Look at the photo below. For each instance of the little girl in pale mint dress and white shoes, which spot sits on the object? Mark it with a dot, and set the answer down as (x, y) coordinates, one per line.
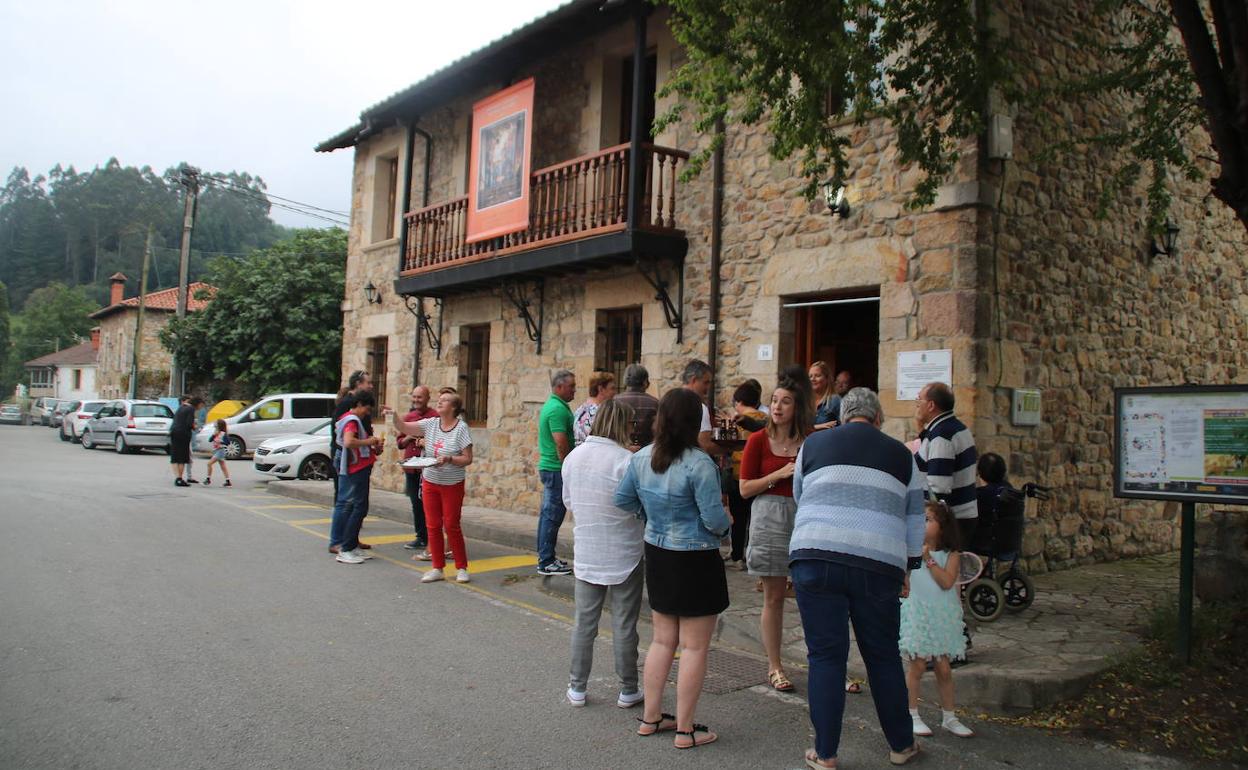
(932, 618)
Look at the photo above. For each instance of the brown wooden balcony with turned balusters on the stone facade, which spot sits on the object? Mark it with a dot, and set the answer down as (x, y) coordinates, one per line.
(572, 208)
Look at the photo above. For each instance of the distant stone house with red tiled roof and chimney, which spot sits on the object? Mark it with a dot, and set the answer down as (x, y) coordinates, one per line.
(119, 323)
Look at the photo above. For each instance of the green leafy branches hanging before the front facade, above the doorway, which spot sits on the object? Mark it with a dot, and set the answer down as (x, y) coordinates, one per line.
(808, 68)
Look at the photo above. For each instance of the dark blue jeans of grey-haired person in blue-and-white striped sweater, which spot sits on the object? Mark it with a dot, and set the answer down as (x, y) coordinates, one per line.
(831, 596)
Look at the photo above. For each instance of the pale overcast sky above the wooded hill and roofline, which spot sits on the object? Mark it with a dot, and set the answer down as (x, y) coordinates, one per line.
(227, 85)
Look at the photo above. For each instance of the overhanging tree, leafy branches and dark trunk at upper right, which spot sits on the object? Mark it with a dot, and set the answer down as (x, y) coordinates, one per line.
(930, 68)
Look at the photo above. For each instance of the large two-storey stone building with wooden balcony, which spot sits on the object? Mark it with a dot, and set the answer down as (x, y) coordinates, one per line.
(1010, 270)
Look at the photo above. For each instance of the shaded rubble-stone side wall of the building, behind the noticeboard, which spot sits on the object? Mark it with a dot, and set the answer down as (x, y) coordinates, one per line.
(1085, 309)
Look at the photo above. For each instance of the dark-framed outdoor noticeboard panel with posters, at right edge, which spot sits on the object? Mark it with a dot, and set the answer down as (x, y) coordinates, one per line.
(1186, 444)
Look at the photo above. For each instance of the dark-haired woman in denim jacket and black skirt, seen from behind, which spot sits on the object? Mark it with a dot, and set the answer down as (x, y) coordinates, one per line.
(675, 486)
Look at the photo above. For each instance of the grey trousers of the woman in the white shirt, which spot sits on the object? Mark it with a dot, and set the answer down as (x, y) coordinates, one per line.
(626, 606)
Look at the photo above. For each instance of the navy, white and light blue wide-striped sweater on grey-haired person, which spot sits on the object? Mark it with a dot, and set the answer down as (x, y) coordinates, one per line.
(860, 501)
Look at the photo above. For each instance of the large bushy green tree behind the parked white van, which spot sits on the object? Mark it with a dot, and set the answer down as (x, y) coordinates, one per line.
(275, 323)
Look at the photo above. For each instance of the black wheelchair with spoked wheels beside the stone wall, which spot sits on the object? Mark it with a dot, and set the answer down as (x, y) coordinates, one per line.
(1002, 586)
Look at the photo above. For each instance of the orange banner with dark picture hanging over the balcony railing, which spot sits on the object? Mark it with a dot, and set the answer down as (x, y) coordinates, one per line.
(502, 144)
